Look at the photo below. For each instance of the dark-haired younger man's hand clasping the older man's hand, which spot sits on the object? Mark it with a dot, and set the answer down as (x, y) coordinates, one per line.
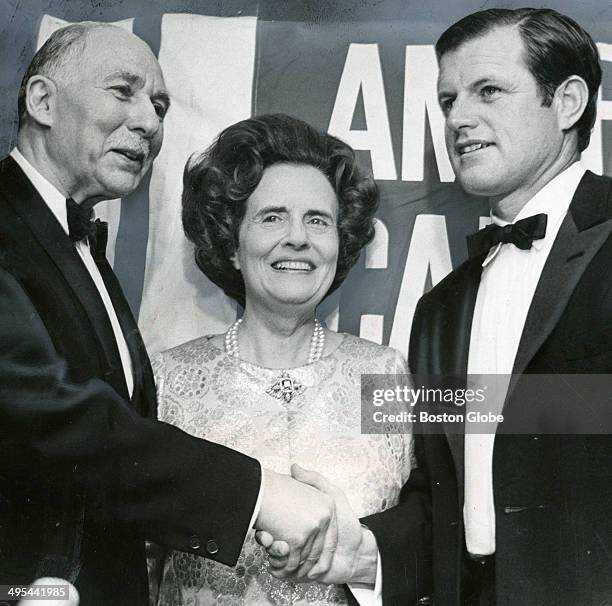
(356, 555)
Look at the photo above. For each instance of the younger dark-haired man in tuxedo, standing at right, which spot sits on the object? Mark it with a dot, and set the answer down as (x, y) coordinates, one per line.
(522, 519)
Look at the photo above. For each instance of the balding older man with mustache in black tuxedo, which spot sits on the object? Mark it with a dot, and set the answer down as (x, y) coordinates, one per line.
(86, 474)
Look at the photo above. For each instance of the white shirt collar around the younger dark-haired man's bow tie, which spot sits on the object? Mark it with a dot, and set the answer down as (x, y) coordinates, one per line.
(553, 200)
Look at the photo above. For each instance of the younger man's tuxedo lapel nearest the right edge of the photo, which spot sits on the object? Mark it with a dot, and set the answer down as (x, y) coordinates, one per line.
(583, 231)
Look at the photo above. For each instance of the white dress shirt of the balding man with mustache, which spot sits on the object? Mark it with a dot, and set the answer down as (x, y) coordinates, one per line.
(57, 204)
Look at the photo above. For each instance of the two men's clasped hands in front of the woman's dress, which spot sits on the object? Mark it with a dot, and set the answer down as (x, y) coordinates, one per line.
(311, 533)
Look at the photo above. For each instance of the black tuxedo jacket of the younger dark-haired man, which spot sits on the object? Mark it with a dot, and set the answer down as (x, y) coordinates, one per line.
(553, 493)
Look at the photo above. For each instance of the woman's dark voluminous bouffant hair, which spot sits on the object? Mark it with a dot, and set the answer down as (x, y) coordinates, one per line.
(218, 183)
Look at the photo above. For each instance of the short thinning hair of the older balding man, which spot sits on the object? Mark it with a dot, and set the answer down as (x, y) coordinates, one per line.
(61, 47)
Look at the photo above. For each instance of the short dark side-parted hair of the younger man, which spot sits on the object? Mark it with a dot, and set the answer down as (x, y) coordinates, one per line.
(556, 47)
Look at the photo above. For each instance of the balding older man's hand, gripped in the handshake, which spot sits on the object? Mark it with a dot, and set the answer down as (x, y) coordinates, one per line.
(301, 519)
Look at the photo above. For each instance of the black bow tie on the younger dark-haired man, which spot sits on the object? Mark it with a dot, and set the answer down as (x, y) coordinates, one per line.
(521, 234)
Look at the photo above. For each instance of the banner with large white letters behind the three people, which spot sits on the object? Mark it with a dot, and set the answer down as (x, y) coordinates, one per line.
(369, 78)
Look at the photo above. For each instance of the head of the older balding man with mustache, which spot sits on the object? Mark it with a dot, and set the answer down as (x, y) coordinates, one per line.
(92, 106)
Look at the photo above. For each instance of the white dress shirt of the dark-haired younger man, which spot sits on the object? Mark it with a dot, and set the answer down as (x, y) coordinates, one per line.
(509, 279)
